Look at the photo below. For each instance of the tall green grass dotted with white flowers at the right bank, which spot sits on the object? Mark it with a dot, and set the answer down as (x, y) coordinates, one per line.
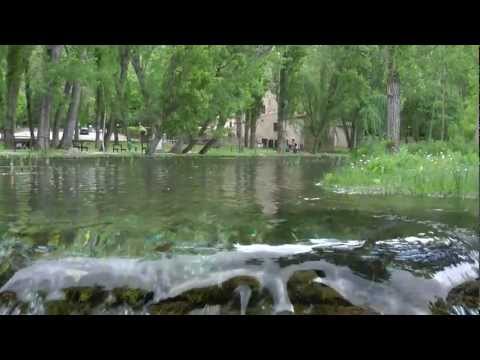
(429, 169)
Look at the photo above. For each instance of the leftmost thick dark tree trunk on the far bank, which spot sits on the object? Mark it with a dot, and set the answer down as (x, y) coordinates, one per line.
(13, 79)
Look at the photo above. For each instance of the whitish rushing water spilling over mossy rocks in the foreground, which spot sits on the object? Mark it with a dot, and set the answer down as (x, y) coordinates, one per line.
(402, 293)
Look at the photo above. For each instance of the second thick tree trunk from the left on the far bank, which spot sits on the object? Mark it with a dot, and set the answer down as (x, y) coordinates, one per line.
(43, 136)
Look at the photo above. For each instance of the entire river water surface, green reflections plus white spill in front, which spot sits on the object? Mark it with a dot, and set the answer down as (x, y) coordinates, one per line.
(174, 224)
